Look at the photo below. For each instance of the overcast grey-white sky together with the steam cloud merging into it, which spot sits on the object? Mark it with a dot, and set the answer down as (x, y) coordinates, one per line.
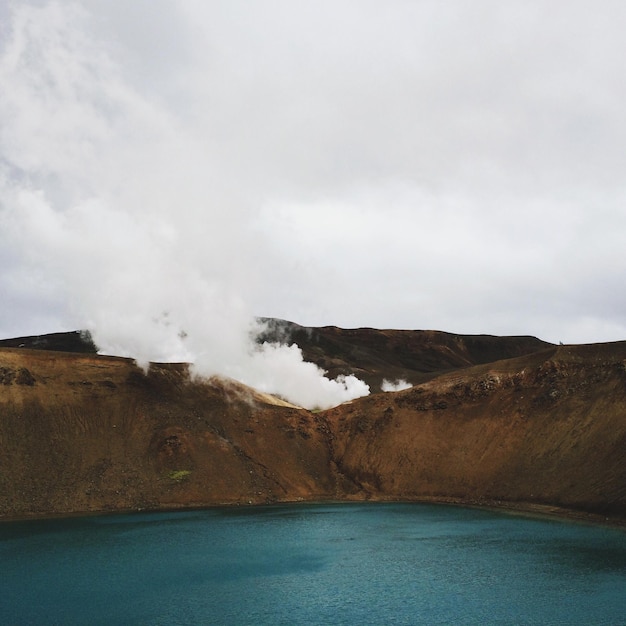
(170, 169)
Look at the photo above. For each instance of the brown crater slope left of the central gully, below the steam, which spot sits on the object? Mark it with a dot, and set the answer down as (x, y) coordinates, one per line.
(89, 433)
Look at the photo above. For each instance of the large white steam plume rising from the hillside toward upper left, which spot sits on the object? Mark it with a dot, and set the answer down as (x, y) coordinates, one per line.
(118, 216)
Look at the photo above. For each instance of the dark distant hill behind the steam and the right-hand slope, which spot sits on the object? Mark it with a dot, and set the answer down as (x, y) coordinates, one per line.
(412, 355)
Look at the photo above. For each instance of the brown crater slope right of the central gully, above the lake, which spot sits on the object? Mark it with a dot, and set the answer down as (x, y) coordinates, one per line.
(549, 428)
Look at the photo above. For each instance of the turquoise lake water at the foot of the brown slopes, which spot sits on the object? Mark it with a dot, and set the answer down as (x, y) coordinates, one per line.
(312, 564)
